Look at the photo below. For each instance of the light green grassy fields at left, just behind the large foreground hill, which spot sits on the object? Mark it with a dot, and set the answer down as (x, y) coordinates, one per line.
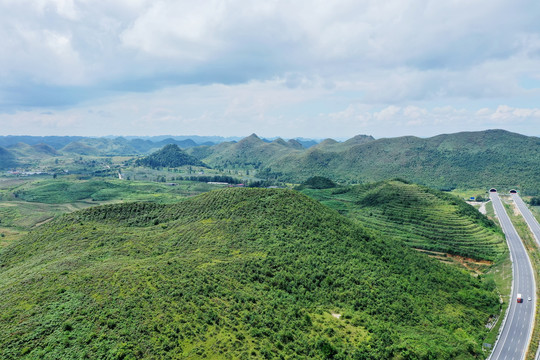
(27, 203)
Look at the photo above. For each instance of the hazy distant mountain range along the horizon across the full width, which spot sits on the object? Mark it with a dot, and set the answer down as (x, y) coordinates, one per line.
(468, 159)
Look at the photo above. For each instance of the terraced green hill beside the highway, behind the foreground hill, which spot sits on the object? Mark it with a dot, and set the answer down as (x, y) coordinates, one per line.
(420, 217)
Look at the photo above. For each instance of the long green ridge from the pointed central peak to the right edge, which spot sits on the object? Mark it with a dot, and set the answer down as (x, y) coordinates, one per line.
(463, 160)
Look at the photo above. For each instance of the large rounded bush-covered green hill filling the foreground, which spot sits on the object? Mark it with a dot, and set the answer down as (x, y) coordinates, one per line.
(234, 273)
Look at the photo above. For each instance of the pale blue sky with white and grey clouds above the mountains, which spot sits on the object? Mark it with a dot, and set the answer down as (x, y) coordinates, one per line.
(304, 68)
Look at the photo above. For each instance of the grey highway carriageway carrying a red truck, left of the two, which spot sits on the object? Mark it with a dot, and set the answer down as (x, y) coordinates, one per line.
(516, 332)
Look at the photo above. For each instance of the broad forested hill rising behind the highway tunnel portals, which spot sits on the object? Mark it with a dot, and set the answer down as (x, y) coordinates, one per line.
(469, 159)
